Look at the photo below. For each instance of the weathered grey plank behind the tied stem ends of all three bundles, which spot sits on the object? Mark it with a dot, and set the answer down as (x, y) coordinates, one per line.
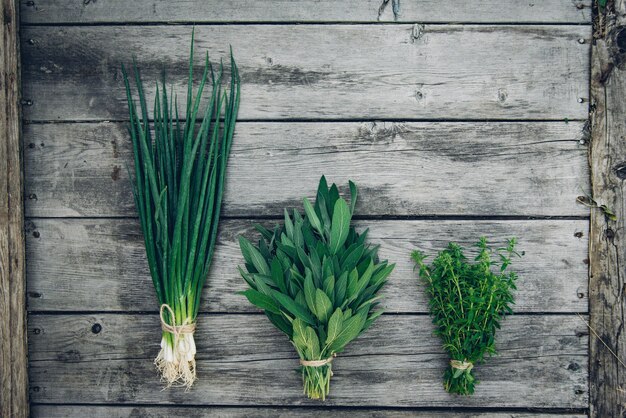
(242, 360)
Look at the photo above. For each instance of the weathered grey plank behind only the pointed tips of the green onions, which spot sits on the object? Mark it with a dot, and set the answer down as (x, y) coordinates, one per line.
(323, 71)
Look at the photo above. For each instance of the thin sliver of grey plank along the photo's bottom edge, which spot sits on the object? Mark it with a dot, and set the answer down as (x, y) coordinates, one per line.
(77, 411)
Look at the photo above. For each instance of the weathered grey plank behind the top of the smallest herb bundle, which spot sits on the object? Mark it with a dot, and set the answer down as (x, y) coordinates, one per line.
(100, 264)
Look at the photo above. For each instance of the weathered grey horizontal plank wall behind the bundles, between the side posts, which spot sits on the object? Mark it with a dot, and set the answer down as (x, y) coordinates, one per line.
(456, 121)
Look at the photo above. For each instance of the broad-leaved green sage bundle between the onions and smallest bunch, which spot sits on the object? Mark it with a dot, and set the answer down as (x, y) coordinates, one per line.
(317, 280)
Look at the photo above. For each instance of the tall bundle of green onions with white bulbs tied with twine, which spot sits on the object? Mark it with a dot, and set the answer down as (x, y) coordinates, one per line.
(179, 181)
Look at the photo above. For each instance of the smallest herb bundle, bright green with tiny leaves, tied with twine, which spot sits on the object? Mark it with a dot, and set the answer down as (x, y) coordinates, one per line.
(467, 302)
